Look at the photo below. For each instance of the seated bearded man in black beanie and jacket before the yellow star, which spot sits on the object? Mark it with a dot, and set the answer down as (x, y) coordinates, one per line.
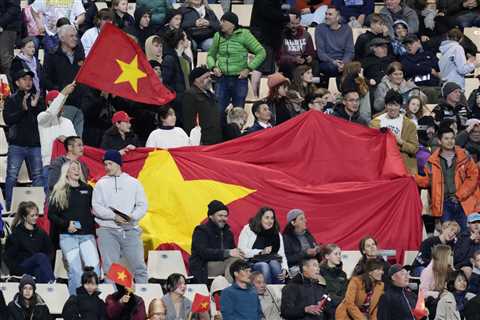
(213, 245)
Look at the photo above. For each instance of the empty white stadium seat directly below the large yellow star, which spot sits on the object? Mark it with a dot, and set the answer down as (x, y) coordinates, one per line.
(163, 263)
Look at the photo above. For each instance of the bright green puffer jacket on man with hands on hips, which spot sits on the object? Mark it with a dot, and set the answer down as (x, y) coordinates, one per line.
(230, 54)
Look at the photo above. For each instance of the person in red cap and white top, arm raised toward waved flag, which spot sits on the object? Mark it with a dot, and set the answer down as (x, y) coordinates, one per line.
(52, 126)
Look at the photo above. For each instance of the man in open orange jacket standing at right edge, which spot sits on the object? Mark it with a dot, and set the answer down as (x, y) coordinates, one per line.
(452, 176)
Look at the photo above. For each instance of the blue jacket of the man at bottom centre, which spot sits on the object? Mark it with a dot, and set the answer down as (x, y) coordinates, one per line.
(240, 304)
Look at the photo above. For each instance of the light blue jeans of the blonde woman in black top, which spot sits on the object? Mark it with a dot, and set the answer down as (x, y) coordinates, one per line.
(78, 248)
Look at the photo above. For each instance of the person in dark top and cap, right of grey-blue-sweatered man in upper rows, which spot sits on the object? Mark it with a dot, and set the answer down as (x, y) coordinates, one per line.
(378, 29)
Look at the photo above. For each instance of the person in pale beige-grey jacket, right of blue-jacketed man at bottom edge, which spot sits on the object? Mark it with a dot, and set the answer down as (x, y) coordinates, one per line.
(268, 300)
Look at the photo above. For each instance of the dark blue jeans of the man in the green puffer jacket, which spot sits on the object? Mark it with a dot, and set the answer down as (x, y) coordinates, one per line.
(230, 89)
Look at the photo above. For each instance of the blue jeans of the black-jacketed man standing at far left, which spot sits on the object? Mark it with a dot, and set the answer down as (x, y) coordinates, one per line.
(16, 155)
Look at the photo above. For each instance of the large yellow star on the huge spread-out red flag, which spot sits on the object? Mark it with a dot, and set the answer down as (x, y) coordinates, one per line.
(176, 206)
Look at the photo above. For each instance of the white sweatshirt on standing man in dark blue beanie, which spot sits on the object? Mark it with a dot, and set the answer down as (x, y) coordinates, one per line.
(123, 193)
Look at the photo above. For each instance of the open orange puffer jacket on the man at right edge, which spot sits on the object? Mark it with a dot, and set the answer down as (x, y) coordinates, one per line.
(466, 175)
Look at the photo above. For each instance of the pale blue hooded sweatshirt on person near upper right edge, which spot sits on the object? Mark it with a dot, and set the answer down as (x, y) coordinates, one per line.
(453, 63)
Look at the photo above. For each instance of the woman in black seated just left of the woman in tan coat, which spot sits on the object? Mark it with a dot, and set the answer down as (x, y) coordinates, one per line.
(331, 271)
